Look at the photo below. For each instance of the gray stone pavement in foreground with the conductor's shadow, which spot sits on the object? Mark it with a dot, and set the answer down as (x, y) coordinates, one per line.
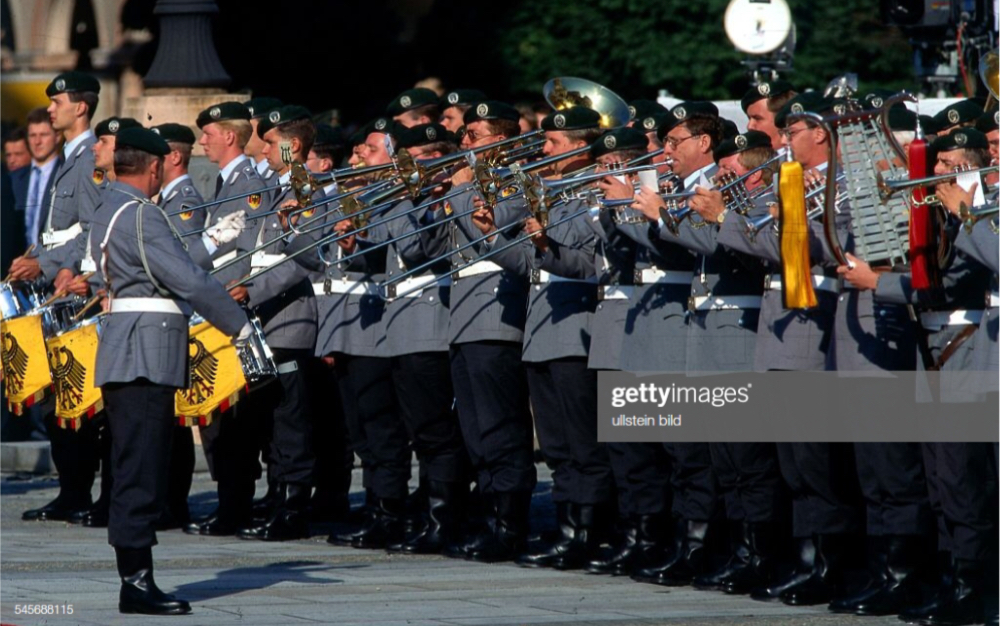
(229, 581)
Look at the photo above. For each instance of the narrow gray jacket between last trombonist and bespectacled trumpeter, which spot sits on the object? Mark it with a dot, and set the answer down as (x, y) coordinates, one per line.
(615, 268)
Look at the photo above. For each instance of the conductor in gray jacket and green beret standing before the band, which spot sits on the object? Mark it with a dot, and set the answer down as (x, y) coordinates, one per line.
(142, 355)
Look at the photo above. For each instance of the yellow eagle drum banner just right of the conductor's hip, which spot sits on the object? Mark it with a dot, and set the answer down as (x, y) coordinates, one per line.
(216, 379)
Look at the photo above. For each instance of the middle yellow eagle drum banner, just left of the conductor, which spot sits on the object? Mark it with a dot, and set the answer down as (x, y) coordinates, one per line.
(73, 361)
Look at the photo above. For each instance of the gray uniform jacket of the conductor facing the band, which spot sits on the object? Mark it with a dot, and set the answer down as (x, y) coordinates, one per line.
(154, 346)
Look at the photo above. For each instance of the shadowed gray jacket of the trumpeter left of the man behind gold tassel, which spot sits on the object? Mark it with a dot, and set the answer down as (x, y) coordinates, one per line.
(722, 339)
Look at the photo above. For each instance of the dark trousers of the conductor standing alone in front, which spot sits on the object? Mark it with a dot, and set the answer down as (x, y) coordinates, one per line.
(141, 418)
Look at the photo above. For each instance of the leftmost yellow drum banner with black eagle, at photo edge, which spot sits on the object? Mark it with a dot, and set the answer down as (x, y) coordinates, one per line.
(26, 374)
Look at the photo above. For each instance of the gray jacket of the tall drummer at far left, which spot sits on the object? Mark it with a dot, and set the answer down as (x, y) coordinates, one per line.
(75, 194)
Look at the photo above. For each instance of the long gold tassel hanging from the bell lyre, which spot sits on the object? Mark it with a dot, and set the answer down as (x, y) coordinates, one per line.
(796, 278)
